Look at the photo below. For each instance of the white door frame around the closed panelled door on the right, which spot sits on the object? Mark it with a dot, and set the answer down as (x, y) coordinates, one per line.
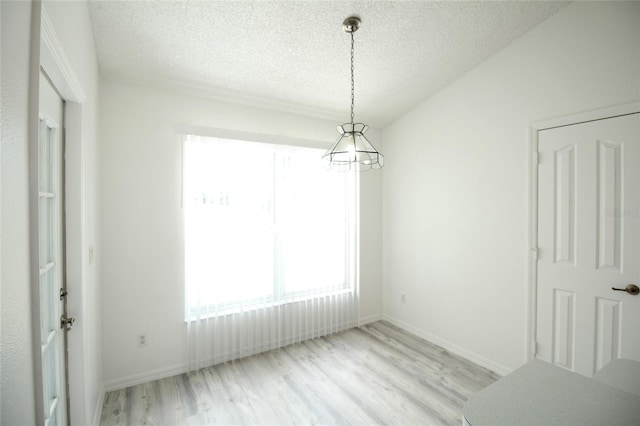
(532, 246)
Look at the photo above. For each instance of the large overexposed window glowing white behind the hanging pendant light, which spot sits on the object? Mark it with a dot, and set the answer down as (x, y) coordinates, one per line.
(264, 224)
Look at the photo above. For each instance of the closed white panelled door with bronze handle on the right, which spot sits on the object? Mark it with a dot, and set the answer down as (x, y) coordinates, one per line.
(589, 242)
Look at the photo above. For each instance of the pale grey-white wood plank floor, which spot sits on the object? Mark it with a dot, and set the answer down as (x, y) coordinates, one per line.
(375, 374)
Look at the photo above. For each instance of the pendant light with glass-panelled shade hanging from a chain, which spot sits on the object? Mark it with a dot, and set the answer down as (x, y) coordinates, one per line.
(352, 150)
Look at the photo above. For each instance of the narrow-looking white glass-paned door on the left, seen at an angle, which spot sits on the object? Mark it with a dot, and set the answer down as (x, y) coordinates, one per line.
(51, 253)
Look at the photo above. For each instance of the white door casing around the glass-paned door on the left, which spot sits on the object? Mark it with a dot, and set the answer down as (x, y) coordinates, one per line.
(49, 55)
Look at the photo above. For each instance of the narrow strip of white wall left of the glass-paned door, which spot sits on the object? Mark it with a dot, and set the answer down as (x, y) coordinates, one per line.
(17, 379)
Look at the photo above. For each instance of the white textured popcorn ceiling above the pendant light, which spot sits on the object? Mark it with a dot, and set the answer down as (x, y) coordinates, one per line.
(294, 56)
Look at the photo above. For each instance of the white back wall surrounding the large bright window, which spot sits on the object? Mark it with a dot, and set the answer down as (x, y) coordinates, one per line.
(142, 256)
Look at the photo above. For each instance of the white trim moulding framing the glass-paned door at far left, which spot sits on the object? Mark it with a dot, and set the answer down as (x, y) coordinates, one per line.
(49, 55)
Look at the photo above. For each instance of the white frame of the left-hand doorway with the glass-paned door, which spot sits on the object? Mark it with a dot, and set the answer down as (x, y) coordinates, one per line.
(48, 54)
